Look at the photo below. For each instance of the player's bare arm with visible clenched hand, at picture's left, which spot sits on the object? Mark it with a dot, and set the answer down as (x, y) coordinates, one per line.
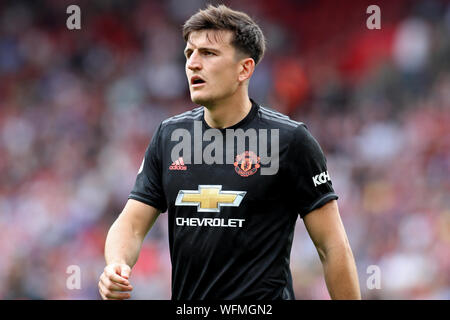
(122, 247)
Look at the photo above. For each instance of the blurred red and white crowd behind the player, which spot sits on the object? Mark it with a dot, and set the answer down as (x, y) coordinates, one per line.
(78, 108)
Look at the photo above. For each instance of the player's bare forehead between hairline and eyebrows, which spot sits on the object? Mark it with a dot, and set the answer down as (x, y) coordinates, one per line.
(220, 39)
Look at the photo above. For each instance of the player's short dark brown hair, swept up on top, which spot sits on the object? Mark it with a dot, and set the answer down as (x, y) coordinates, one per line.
(247, 35)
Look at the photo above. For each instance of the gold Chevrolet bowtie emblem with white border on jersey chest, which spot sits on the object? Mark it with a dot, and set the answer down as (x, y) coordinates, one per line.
(209, 198)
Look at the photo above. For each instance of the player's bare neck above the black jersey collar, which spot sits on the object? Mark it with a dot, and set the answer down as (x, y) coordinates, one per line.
(227, 112)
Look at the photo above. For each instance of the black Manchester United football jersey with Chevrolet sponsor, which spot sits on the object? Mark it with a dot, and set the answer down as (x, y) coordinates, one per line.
(233, 196)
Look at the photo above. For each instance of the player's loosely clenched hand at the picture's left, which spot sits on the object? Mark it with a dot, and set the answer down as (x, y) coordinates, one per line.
(114, 284)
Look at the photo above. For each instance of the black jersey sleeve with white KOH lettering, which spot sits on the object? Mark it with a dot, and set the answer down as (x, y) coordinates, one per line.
(310, 180)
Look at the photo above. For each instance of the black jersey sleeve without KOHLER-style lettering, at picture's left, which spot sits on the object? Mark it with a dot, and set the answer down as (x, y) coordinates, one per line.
(148, 186)
